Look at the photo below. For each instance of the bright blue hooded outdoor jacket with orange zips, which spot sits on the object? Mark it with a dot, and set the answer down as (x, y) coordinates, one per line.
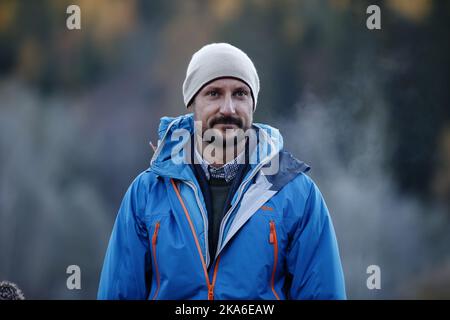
(276, 241)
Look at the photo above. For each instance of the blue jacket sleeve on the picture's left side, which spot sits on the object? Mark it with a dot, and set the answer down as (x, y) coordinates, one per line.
(127, 266)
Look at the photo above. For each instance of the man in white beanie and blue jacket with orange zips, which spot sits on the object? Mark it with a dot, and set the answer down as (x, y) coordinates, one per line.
(223, 212)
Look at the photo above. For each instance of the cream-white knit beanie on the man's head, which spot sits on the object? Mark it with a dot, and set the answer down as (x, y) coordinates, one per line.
(218, 60)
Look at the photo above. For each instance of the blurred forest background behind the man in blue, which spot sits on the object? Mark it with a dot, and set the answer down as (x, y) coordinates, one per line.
(368, 110)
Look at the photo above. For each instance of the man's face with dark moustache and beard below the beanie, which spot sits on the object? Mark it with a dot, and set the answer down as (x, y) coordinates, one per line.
(224, 105)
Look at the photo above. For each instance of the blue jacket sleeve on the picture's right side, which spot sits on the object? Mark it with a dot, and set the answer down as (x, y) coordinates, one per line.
(313, 257)
